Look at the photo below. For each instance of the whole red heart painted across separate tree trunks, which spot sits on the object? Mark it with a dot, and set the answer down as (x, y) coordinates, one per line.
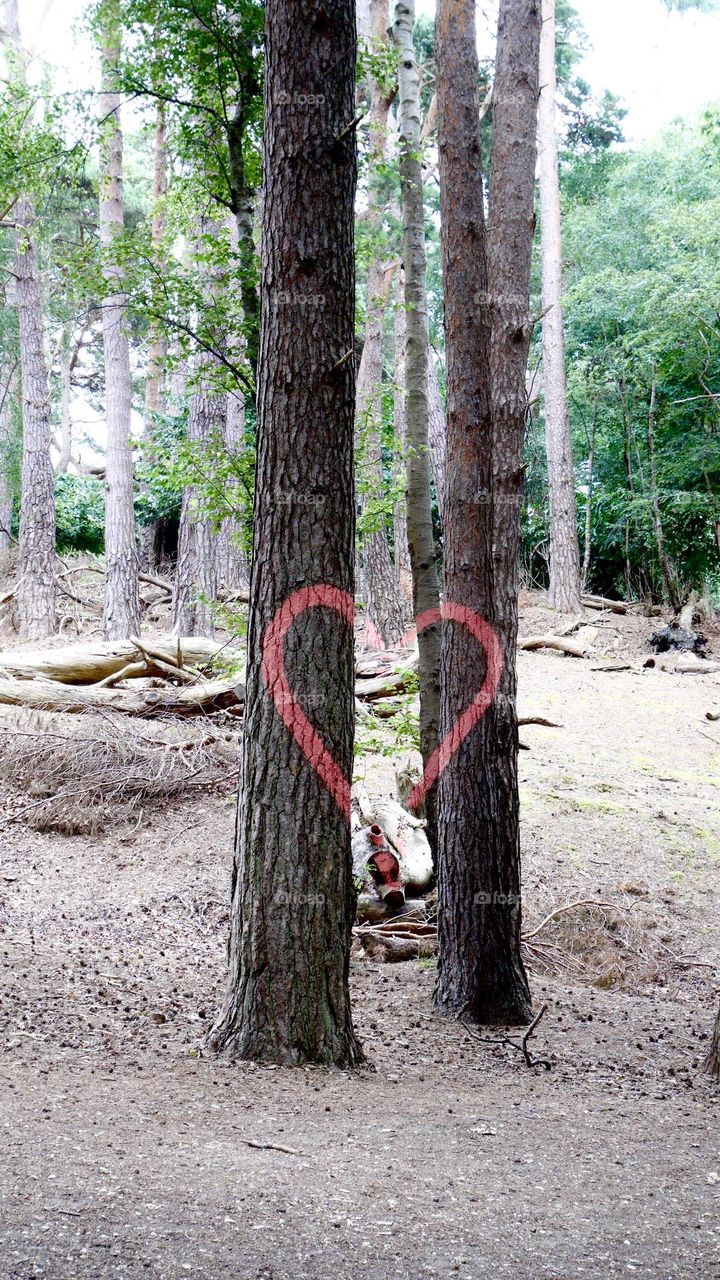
(308, 738)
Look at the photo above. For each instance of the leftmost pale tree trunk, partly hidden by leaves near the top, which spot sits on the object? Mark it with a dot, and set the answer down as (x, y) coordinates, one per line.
(37, 588)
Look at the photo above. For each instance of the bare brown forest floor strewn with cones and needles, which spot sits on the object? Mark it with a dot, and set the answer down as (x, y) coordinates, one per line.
(126, 1153)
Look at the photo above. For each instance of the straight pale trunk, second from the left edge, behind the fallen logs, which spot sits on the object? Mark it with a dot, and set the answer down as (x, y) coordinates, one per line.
(121, 616)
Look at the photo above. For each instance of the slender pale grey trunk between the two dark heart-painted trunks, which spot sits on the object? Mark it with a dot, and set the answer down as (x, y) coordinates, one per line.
(426, 592)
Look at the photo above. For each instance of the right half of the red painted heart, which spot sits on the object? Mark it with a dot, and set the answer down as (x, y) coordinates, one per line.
(453, 742)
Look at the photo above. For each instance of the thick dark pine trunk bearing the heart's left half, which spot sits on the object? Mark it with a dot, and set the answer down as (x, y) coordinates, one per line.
(294, 898)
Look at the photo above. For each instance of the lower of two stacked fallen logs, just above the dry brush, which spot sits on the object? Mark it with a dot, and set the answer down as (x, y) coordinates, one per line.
(51, 696)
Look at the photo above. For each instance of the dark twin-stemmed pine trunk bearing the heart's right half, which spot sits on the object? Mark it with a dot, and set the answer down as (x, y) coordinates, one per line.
(487, 333)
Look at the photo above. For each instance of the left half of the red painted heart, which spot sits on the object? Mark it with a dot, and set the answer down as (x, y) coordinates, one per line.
(279, 685)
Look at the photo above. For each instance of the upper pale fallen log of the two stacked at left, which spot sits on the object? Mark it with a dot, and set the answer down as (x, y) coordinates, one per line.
(90, 664)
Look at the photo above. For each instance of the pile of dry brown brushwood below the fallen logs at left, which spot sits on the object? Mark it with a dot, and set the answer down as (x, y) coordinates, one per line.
(78, 775)
